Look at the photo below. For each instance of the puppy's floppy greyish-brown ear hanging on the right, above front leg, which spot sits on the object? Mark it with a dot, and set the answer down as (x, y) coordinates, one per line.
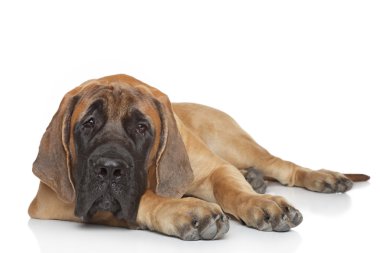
(173, 170)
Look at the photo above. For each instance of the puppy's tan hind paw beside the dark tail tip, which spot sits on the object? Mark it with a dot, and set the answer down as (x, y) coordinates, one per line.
(326, 181)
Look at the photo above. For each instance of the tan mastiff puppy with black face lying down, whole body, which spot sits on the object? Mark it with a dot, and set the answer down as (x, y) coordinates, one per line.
(118, 153)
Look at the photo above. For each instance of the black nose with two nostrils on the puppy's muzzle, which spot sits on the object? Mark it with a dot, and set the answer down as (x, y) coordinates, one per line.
(110, 168)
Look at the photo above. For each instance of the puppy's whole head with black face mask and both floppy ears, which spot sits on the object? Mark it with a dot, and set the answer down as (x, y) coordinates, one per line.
(111, 140)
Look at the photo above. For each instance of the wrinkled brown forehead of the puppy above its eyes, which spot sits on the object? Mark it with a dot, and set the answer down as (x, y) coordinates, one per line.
(116, 99)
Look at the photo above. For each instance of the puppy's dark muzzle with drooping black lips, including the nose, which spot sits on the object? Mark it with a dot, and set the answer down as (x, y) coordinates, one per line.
(109, 182)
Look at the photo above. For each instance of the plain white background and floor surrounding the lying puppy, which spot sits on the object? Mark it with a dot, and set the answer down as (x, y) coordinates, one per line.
(302, 77)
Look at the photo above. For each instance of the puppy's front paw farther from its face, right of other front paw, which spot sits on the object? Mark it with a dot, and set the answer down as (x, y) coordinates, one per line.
(268, 213)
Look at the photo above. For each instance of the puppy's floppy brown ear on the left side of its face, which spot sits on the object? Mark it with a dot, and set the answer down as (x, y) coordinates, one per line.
(52, 164)
